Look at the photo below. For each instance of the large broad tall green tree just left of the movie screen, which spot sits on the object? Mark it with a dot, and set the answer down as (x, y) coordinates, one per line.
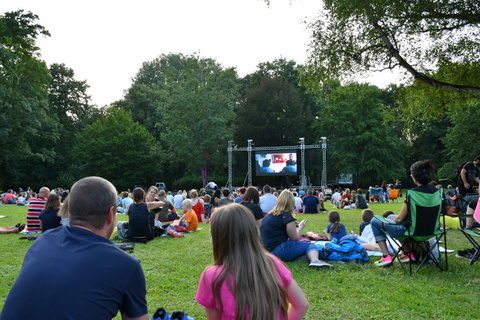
(187, 103)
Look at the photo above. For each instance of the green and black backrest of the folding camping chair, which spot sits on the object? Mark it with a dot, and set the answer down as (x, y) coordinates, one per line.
(425, 210)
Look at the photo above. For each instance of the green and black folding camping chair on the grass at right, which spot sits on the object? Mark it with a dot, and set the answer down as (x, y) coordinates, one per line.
(423, 230)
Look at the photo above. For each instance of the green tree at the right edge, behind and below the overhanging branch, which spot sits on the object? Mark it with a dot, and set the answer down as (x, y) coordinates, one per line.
(435, 119)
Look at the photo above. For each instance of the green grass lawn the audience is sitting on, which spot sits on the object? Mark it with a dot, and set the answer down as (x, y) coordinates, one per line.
(173, 266)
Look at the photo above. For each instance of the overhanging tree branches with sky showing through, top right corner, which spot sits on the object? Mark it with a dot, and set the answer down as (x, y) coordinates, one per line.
(419, 36)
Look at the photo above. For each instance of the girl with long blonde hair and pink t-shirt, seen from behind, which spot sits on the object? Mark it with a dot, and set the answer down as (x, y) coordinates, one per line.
(246, 282)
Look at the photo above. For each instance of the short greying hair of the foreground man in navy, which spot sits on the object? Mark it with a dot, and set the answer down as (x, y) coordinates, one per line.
(89, 202)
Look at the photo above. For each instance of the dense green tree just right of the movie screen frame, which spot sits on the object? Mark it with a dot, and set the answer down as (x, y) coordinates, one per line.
(359, 143)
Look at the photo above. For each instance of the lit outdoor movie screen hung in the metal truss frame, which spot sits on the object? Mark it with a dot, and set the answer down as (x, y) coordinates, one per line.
(280, 162)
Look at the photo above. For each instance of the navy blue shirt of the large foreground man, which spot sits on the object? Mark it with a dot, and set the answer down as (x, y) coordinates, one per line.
(73, 273)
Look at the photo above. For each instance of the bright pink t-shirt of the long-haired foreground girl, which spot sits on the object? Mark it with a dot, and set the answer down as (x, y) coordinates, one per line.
(206, 297)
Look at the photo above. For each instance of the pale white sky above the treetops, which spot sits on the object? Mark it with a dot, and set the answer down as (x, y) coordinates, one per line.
(105, 42)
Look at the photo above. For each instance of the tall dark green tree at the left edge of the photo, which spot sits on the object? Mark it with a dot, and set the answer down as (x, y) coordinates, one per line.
(27, 130)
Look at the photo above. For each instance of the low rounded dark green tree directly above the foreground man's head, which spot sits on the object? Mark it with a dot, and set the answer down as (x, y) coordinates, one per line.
(116, 148)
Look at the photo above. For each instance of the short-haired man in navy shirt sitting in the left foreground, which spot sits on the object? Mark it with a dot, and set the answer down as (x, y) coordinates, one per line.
(76, 272)
